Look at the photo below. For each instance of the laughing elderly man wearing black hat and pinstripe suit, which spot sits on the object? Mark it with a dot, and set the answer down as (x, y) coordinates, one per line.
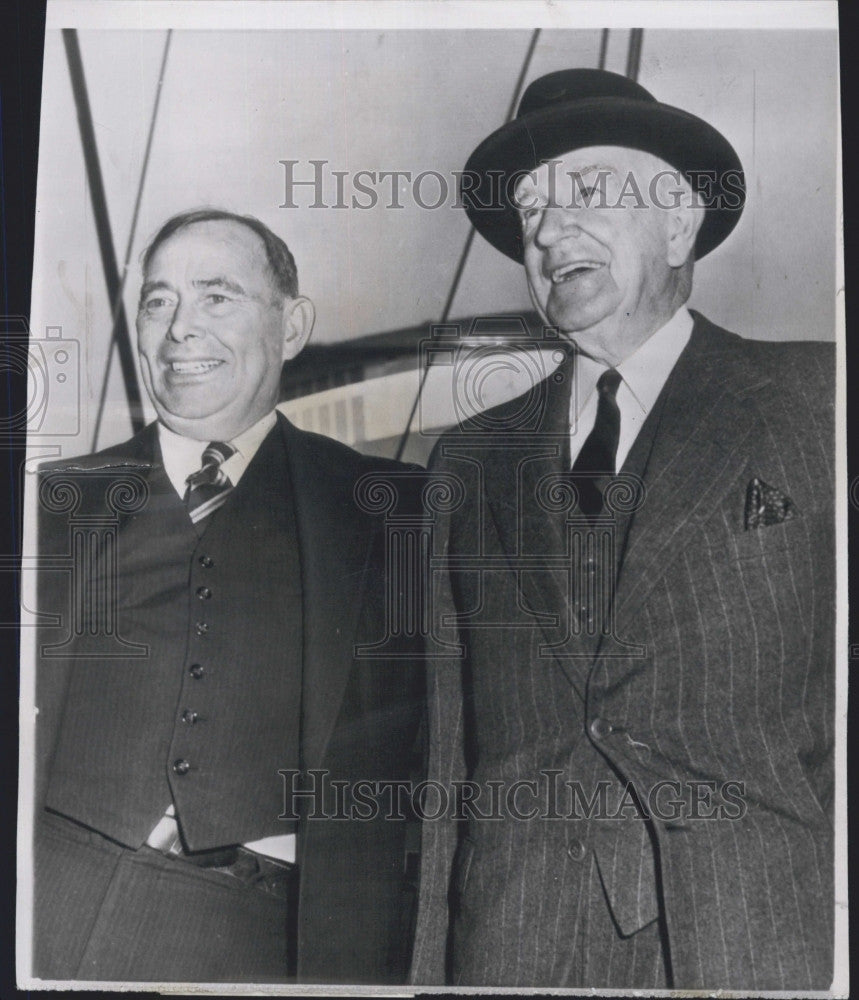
(636, 721)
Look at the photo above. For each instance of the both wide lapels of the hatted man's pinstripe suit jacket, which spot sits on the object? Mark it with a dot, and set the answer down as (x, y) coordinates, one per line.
(696, 453)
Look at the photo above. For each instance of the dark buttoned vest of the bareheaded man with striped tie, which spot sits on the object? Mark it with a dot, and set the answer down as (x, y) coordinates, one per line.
(210, 712)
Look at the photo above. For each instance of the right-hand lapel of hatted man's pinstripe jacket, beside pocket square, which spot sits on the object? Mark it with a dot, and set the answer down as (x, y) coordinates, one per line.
(699, 450)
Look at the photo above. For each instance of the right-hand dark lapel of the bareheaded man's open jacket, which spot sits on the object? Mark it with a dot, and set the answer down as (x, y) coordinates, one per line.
(334, 541)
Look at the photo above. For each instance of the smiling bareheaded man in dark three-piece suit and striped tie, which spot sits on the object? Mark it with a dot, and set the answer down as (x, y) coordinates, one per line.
(168, 846)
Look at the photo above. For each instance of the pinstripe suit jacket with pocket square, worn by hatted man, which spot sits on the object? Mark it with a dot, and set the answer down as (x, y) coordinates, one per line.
(735, 684)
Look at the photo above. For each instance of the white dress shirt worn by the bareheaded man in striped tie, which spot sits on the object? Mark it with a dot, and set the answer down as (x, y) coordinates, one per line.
(183, 456)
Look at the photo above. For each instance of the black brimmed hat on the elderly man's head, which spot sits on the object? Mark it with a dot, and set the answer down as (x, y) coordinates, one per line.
(574, 108)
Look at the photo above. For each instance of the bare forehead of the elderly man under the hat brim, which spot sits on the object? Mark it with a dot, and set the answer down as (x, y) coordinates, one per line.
(570, 171)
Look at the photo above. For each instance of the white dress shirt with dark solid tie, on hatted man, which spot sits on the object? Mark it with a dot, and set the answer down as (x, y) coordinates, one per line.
(643, 375)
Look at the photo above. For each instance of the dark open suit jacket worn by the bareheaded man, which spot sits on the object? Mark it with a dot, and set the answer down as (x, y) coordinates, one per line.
(359, 718)
